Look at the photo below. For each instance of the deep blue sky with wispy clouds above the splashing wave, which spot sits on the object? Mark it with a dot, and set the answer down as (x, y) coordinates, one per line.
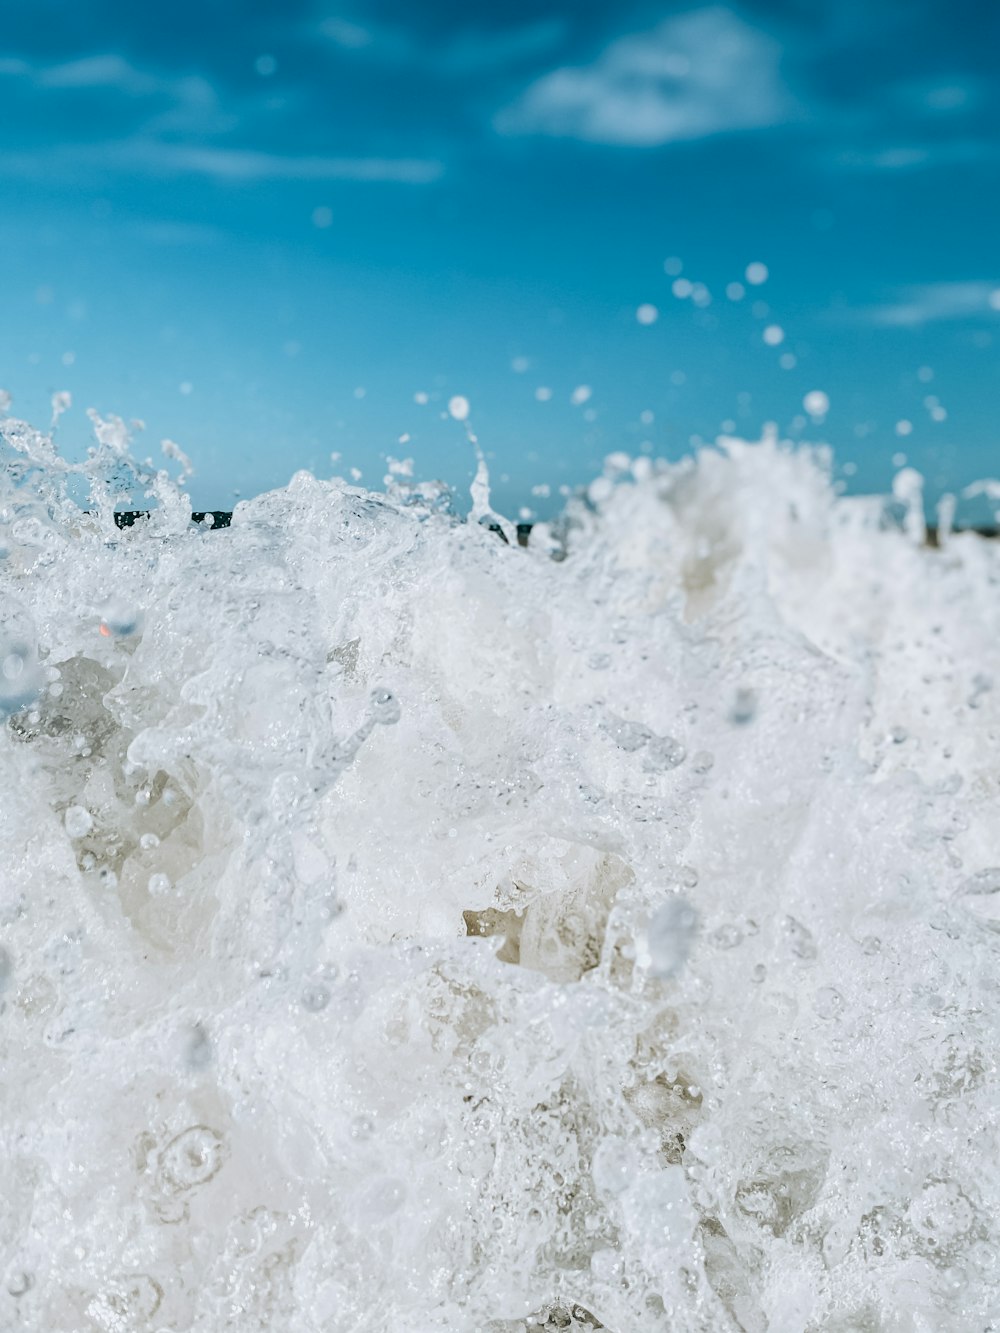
(286, 230)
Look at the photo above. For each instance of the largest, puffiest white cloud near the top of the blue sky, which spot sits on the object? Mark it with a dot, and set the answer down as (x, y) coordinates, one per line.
(695, 75)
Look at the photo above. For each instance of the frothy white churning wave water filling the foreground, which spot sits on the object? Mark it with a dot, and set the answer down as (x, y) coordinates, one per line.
(403, 931)
